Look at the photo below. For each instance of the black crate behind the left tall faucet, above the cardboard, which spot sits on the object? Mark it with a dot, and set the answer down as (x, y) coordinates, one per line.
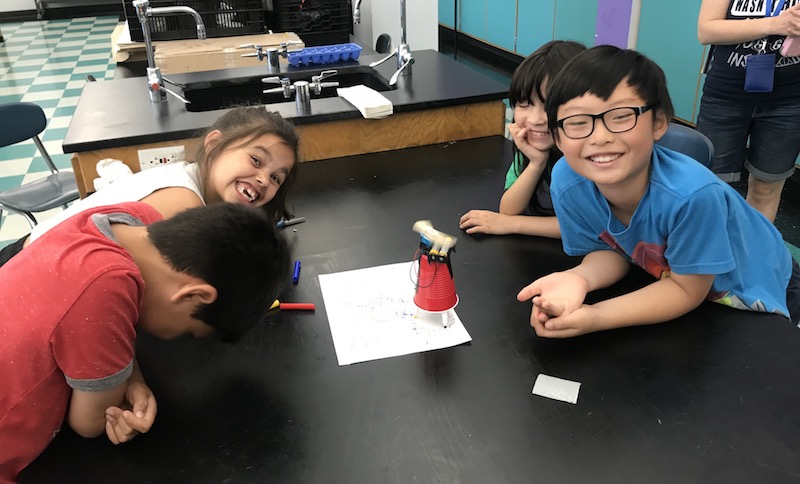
(222, 18)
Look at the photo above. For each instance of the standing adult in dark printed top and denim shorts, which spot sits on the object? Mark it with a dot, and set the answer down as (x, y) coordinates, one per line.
(751, 91)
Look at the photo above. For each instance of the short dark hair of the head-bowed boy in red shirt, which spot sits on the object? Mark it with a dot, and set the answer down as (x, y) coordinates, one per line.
(234, 248)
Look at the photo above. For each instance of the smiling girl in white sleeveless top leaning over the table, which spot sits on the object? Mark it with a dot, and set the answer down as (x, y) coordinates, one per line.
(247, 157)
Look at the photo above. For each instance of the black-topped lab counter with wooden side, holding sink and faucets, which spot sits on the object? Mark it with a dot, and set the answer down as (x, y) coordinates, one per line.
(442, 100)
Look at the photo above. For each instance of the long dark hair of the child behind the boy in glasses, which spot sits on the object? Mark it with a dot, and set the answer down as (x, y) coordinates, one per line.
(529, 77)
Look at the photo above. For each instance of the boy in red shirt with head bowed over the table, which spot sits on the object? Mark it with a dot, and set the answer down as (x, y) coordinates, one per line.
(73, 300)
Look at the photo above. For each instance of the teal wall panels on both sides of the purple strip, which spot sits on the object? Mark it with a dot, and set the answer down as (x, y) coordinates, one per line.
(667, 33)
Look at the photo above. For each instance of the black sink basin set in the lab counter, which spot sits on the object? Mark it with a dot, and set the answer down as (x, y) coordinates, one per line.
(208, 95)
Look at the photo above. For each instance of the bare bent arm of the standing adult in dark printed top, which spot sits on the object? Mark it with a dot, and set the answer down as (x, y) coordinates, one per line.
(714, 28)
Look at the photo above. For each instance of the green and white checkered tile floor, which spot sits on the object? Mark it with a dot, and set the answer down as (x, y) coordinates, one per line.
(46, 62)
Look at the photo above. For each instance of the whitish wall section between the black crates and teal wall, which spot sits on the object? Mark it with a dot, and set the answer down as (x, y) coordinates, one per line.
(383, 16)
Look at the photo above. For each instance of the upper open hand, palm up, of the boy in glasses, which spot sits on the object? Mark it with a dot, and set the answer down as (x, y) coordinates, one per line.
(554, 296)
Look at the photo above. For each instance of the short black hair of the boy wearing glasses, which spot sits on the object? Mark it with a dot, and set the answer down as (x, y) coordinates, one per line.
(599, 71)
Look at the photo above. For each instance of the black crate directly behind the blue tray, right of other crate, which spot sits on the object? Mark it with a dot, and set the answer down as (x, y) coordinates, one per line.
(316, 21)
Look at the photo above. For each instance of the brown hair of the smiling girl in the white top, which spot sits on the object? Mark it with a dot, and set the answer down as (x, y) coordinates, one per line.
(242, 124)
